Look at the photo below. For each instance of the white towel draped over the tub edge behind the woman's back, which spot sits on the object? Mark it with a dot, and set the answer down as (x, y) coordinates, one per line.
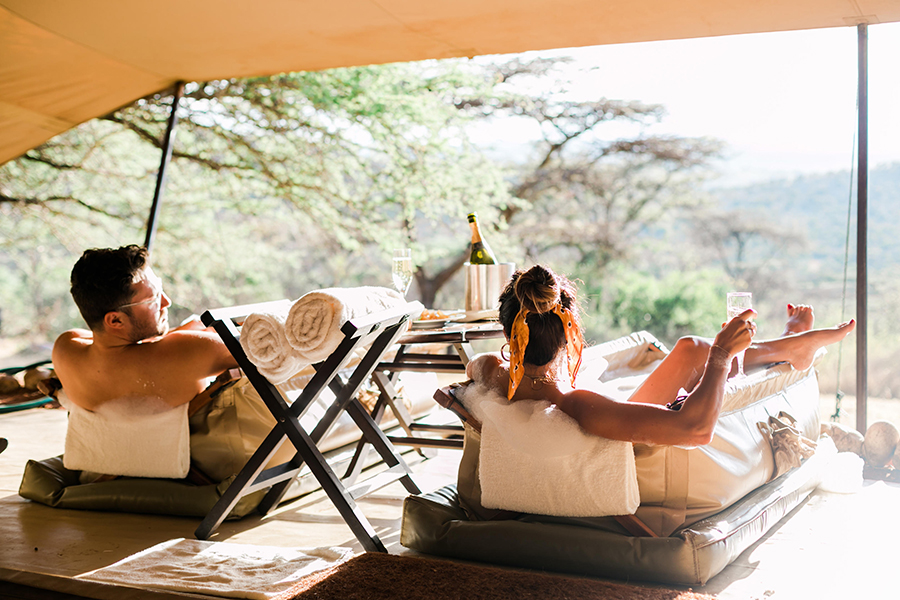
(536, 459)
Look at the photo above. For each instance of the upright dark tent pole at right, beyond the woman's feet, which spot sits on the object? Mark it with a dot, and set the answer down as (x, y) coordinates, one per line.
(861, 232)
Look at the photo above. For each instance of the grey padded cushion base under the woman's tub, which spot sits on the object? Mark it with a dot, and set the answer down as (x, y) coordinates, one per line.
(435, 523)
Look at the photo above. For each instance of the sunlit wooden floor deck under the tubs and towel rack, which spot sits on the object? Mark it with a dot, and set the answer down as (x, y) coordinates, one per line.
(832, 546)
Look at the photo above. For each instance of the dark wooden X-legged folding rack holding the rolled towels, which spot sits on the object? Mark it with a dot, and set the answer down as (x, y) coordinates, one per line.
(381, 329)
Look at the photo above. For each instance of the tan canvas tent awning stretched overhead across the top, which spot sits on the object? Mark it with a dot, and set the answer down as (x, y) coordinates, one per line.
(63, 63)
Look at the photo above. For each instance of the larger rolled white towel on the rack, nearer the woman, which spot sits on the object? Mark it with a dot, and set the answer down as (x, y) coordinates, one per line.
(313, 325)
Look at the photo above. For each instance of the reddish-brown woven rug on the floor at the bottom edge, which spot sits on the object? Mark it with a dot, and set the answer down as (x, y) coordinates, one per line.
(377, 576)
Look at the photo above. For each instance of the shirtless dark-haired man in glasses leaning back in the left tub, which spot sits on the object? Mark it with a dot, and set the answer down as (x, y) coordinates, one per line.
(129, 352)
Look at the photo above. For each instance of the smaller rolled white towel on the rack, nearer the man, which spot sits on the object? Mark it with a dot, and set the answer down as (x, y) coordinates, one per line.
(263, 339)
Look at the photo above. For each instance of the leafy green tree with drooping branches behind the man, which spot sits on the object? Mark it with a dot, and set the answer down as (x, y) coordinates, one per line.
(331, 167)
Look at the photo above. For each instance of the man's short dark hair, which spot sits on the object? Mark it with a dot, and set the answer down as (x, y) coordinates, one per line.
(102, 278)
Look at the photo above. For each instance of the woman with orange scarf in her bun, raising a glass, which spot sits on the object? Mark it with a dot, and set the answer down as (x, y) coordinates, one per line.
(539, 314)
